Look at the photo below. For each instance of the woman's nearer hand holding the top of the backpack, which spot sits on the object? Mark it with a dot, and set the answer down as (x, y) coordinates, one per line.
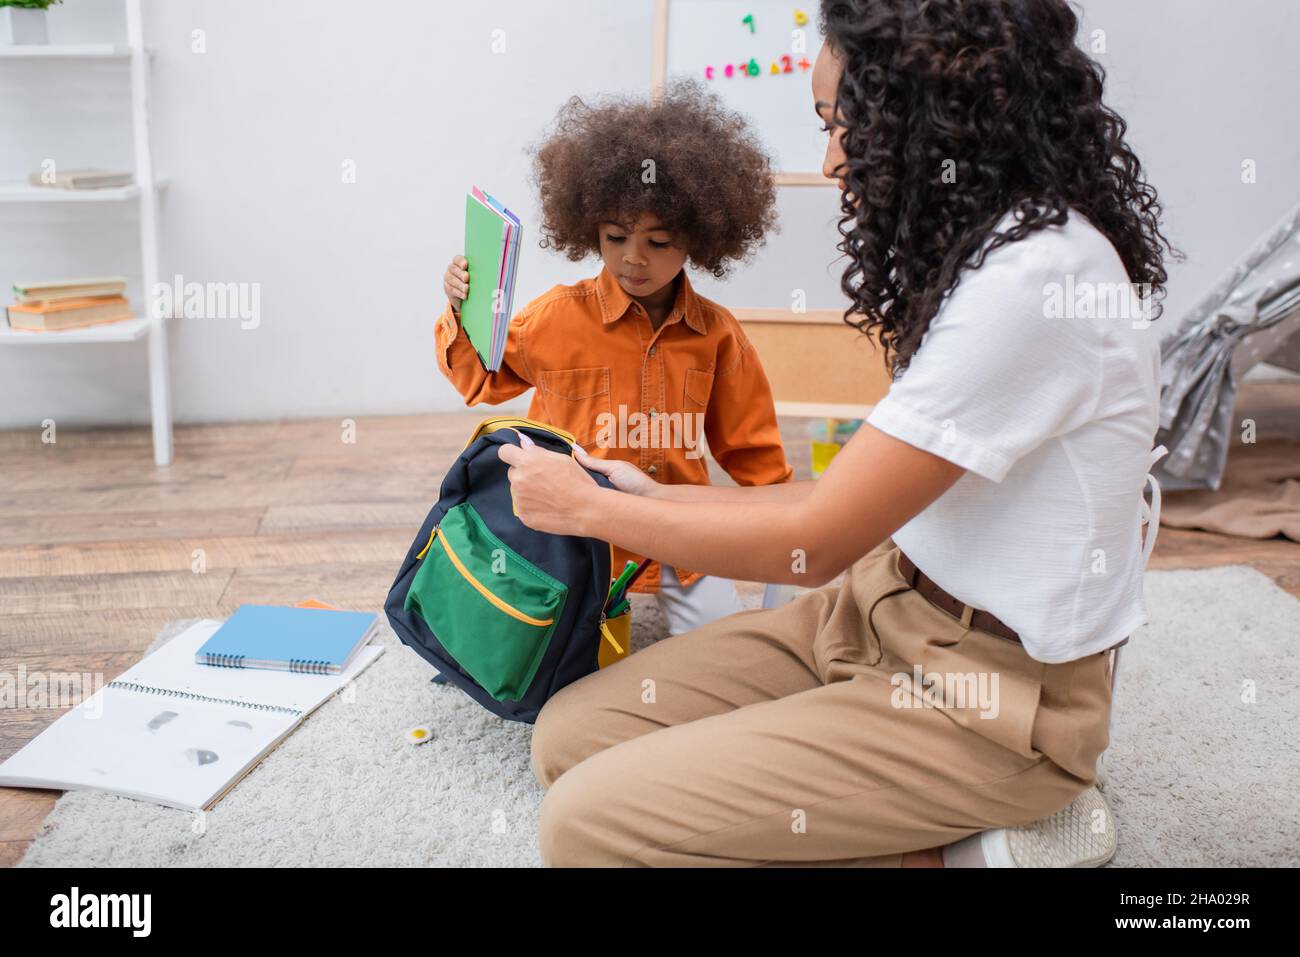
(552, 492)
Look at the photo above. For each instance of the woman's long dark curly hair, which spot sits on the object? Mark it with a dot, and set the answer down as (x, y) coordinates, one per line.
(999, 88)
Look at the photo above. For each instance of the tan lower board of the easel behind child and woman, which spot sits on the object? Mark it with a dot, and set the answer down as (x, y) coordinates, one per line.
(817, 365)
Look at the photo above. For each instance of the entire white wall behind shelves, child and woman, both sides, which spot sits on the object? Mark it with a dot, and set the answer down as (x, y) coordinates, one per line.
(252, 137)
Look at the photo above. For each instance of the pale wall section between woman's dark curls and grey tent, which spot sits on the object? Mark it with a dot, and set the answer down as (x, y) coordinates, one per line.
(1204, 86)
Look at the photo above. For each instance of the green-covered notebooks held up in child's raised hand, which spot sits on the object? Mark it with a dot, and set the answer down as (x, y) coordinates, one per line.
(492, 248)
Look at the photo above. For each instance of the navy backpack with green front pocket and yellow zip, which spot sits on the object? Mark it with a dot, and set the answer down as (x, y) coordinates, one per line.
(509, 614)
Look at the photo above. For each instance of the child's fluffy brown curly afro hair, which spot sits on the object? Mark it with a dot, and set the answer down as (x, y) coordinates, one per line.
(713, 183)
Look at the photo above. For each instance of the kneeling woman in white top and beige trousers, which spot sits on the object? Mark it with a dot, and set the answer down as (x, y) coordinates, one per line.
(948, 703)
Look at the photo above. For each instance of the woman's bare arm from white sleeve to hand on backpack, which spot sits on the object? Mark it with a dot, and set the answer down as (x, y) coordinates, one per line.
(873, 488)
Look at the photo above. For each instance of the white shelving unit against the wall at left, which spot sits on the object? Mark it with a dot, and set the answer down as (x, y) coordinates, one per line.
(145, 192)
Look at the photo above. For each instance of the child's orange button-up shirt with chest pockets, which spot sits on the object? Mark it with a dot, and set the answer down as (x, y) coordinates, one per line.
(629, 392)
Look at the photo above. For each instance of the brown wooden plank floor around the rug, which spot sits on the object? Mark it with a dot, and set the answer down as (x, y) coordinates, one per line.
(99, 549)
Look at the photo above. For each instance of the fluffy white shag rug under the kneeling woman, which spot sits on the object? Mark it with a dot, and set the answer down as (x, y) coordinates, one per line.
(1203, 768)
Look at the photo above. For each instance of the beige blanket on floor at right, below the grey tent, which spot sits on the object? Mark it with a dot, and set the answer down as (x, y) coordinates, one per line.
(1260, 496)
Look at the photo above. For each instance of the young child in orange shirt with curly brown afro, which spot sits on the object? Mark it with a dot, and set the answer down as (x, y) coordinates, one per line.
(635, 363)
